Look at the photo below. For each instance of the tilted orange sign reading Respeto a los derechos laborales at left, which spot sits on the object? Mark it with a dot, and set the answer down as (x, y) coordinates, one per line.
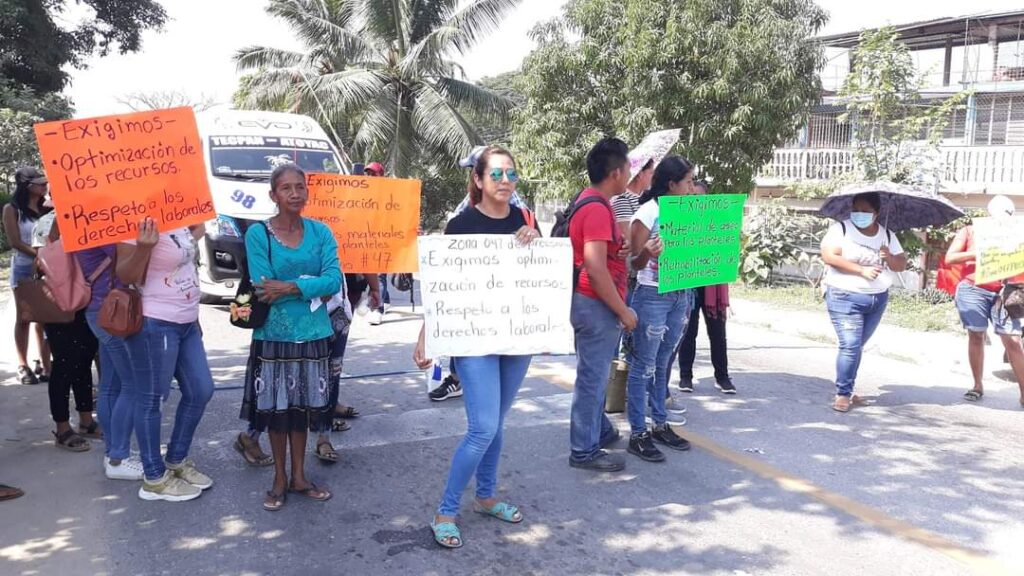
(109, 174)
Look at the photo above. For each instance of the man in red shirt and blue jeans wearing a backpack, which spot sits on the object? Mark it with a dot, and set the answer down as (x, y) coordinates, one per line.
(600, 312)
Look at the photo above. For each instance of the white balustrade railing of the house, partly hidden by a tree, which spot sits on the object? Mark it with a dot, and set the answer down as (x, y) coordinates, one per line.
(994, 170)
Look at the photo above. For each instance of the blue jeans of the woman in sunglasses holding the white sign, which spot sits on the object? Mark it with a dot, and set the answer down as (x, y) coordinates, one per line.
(490, 386)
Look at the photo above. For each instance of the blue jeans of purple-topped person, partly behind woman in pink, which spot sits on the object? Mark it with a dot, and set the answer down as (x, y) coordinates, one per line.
(116, 405)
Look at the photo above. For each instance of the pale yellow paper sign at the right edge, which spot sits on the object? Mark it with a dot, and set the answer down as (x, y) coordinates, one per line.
(1000, 243)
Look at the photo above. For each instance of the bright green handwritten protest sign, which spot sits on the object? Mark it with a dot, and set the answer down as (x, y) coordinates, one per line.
(702, 240)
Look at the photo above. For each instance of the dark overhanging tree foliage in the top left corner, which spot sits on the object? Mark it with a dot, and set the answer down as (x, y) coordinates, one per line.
(35, 50)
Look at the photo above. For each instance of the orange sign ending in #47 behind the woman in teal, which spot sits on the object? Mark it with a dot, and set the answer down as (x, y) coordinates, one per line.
(374, 220)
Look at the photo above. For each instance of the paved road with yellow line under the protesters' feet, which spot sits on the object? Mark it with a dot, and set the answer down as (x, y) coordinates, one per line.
(919, 483)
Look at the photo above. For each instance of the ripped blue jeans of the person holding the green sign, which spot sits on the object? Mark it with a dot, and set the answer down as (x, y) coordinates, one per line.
(662, 323)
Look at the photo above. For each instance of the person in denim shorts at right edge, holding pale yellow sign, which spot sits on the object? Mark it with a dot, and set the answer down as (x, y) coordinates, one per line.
(979, 305)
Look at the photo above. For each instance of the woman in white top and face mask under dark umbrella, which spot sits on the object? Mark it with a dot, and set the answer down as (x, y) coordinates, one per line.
(858, 254)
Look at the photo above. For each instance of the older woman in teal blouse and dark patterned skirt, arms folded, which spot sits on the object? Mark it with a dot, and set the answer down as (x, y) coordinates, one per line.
(294, 264)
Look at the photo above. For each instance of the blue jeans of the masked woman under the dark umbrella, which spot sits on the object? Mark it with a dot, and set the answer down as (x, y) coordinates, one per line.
(856, 318)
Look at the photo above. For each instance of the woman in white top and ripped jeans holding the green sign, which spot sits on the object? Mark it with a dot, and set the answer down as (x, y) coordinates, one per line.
(662, 319)
